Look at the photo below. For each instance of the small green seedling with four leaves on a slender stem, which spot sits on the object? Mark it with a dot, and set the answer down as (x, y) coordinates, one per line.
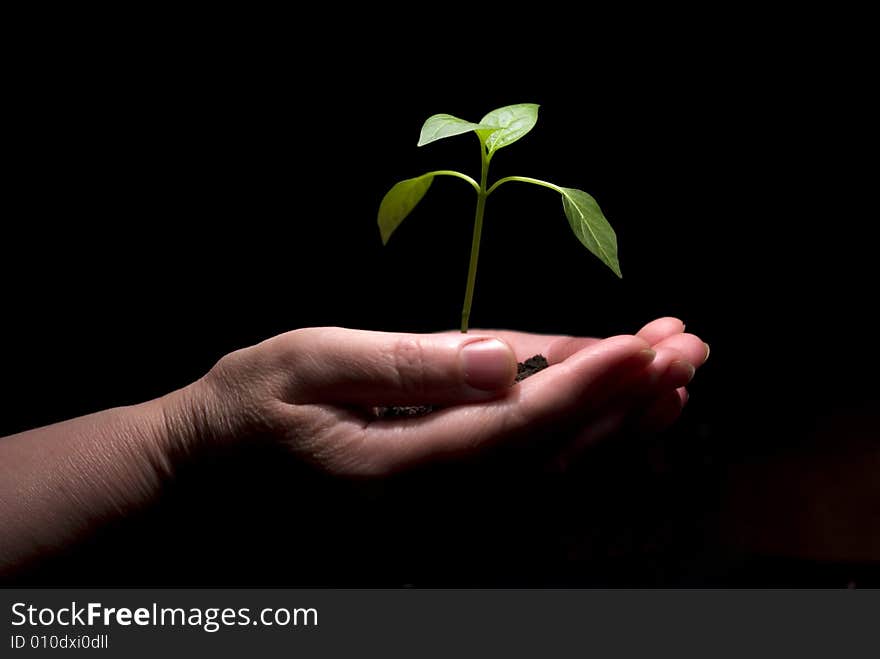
(499, 128)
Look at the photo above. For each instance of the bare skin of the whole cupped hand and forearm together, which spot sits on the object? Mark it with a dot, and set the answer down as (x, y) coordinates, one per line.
(312, 390)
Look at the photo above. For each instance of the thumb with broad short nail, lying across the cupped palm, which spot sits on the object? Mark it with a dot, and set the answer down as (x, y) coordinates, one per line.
(336, 365)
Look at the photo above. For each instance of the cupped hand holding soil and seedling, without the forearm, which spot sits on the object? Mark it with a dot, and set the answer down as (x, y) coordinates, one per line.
(313, 389)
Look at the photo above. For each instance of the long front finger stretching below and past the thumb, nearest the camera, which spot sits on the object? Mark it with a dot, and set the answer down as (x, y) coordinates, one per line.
(556, 396)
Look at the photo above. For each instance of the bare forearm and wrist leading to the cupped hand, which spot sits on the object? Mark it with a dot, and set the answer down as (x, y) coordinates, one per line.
(60, 482)
